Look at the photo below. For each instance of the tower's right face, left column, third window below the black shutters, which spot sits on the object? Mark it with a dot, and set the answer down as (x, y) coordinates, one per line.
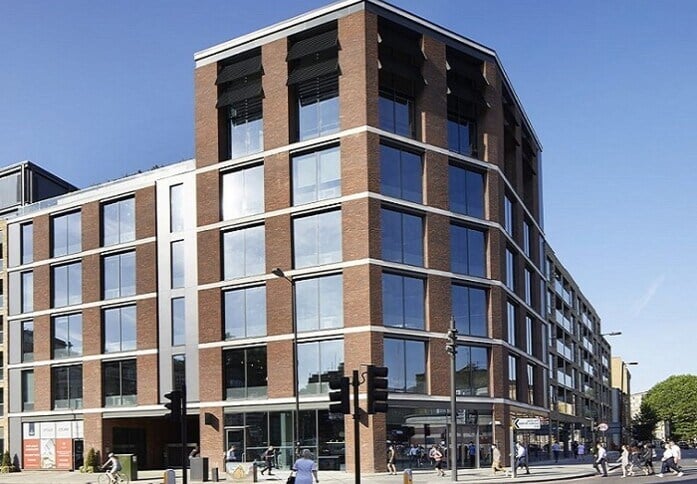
(403, 301)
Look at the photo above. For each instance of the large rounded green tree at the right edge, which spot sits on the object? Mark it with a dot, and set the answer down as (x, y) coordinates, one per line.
(675, 400)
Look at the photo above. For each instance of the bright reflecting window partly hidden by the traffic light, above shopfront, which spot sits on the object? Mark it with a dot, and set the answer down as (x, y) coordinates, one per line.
(319, 362)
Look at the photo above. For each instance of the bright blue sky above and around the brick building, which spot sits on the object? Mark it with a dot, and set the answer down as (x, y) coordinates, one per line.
(93, 90)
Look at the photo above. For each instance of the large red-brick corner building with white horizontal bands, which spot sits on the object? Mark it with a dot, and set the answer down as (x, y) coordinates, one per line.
(382, 165)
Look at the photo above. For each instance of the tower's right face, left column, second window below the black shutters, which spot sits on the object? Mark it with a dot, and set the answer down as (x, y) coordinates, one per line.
(402, 237)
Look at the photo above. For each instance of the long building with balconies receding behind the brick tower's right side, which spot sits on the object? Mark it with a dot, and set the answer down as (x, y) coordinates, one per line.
(579, 360)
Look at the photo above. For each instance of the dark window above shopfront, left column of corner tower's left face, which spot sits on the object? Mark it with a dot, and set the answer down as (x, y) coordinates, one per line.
(245, 373)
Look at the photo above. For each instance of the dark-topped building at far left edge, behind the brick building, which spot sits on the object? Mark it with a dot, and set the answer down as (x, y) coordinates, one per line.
(20, 184)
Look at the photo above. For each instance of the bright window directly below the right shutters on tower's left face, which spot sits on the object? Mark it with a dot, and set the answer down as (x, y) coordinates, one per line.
(316, 176)
